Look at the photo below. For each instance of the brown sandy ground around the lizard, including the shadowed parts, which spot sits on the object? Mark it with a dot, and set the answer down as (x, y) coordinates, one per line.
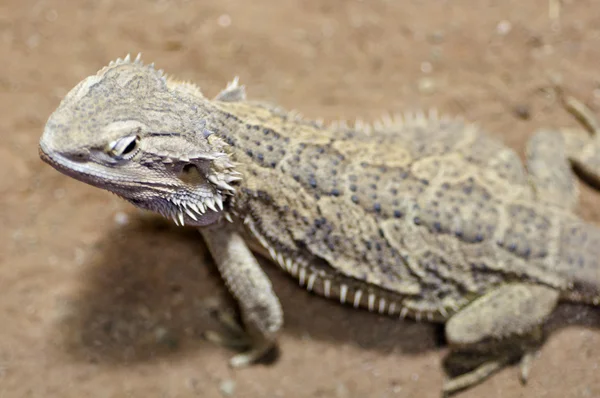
(97, 301)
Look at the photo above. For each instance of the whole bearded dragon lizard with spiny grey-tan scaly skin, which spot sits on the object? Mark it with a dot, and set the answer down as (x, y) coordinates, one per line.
(419, 216)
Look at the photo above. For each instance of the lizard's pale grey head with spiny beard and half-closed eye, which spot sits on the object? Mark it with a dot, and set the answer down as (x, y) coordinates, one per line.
(132, 131)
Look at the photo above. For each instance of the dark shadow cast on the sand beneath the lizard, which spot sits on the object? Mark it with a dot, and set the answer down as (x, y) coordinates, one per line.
(150, 289)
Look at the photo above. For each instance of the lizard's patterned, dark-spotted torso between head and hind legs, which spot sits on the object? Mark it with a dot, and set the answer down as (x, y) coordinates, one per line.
(421, 212)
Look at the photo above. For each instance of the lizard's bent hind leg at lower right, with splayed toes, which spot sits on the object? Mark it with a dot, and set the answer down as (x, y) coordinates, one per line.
(507, 318)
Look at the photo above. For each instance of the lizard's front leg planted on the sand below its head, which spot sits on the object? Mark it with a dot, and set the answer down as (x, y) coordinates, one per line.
(260, 309)
